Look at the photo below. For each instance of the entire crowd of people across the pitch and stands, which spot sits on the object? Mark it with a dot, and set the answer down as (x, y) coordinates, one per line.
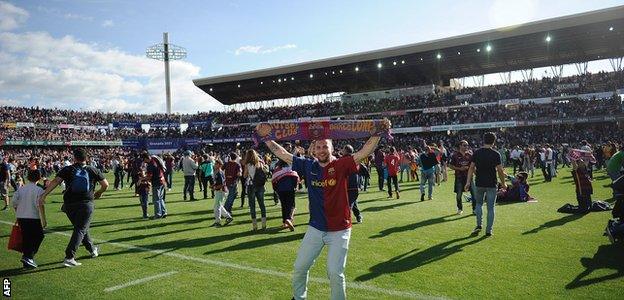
(323, 169)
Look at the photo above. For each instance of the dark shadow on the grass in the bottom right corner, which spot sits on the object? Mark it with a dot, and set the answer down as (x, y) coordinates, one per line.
(607, 257)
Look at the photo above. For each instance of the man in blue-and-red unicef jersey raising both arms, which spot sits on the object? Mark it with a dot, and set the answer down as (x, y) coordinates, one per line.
(330, 213)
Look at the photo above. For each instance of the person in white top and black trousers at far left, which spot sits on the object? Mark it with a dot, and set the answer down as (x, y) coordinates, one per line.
(30, 215)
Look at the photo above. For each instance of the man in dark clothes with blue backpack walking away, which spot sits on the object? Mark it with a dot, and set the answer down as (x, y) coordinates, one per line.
(80, 180)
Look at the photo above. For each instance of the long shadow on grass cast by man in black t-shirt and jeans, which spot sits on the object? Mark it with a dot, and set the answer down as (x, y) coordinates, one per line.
(414, 259)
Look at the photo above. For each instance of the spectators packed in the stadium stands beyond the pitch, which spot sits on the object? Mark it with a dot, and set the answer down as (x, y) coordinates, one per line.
(239, 123)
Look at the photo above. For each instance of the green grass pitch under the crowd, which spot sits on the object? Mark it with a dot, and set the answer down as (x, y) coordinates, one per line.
(405, 246)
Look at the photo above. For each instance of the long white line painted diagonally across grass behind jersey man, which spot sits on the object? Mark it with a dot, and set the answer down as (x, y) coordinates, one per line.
(354, 285)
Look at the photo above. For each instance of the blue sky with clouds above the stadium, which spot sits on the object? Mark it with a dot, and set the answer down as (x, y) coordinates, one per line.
(90, 54)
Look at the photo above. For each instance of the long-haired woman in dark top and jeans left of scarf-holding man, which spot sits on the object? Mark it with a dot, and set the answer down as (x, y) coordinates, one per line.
(255, 178)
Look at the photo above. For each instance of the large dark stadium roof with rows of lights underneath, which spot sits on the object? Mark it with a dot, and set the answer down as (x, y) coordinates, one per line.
(575, 38)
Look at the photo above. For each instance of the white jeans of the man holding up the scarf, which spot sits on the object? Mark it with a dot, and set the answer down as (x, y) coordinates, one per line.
(311, 246)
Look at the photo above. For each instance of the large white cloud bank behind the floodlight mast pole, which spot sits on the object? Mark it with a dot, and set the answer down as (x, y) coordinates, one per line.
(69, 73)
